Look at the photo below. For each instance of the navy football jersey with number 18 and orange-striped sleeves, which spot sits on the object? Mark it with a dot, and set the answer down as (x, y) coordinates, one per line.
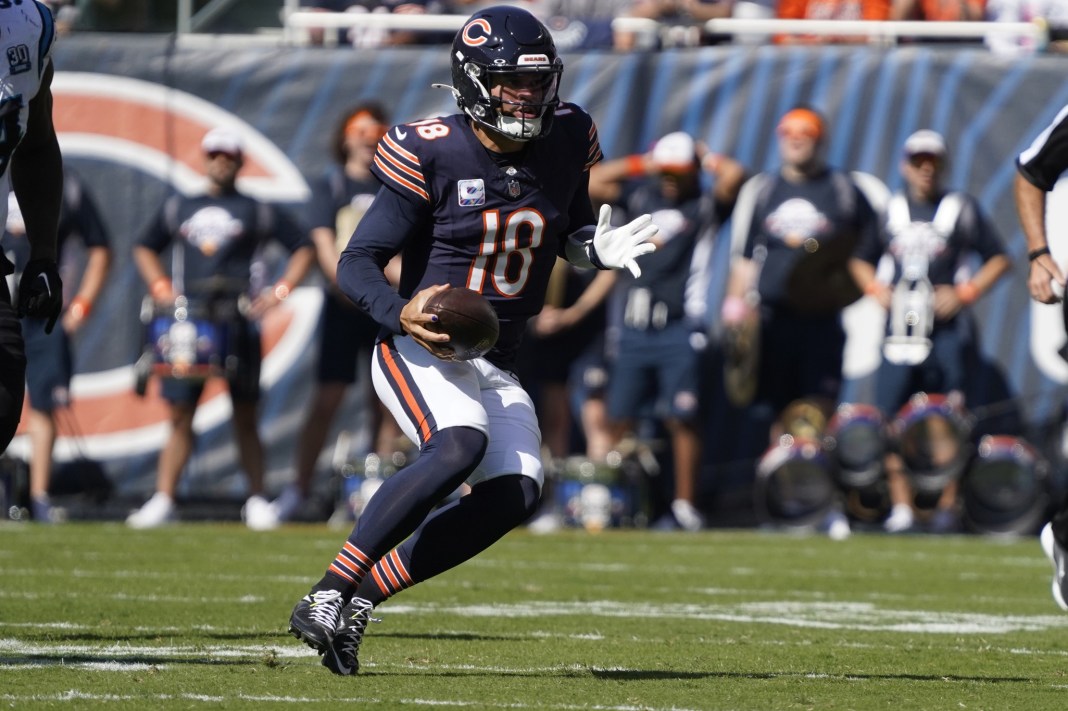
(469, 217)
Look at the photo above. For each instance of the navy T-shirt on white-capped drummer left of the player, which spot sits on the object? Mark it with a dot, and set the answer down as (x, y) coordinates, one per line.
(218, 235)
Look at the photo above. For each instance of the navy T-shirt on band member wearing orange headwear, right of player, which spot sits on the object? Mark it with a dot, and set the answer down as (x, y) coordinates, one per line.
(818, 223)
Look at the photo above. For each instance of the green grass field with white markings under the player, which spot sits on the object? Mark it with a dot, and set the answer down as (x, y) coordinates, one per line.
(194, 617)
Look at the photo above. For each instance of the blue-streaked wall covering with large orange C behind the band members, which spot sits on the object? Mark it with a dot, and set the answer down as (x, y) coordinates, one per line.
(990, 108)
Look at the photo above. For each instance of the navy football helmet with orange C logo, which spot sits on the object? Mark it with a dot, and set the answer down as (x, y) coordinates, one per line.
(507, 46)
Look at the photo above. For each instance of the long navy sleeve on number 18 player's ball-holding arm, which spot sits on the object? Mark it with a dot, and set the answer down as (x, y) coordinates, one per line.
(389, 224)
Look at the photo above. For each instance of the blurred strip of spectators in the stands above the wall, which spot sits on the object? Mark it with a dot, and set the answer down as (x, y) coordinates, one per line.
(623, 25)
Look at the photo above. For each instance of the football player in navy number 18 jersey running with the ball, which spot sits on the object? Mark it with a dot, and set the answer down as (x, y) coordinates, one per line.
(485, 199)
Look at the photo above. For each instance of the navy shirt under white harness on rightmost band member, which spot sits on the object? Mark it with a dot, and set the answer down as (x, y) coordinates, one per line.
(944, 254)
